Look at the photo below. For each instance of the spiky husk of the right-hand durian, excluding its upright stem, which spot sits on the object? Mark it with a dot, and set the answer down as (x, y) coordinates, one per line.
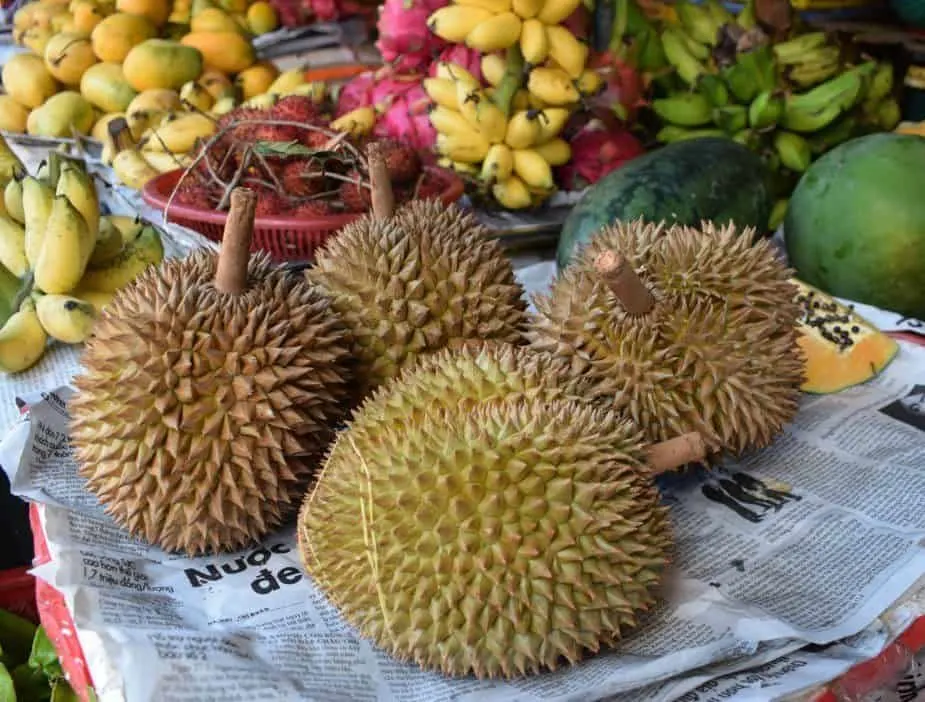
(718, 352)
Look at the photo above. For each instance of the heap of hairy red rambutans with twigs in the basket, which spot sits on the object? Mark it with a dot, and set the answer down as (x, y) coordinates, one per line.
(298, 164)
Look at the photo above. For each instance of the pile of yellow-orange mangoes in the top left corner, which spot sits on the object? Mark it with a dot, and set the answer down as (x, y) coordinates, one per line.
(89, 60)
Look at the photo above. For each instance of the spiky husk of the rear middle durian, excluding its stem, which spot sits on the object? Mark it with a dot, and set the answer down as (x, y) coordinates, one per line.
(425, 279)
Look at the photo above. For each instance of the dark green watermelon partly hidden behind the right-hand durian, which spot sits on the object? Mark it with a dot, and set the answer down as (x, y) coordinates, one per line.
(686, 182)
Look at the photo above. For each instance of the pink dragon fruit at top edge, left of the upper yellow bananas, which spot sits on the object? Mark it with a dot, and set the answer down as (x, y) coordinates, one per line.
(404, 39)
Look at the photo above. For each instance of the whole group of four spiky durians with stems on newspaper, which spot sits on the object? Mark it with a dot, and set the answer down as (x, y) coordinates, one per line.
(473, 485)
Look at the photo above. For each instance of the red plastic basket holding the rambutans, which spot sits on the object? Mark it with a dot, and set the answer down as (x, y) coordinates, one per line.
(285, 238)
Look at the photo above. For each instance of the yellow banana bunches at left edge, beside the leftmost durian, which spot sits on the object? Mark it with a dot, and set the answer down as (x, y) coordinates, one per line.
(60, 261)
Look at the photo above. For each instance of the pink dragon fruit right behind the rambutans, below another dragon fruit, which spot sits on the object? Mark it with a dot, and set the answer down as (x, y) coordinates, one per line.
(402, 103)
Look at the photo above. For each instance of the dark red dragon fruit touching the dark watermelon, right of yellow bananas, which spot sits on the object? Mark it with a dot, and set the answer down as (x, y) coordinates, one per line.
(596, 151)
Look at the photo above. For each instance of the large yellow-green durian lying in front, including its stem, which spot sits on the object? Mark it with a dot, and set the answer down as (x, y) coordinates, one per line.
(503, 526)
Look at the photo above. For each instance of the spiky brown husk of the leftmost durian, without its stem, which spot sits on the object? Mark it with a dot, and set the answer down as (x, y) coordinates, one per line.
(200, 417)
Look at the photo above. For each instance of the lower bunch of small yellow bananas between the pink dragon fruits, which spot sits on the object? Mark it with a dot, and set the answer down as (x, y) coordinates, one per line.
(512, 157)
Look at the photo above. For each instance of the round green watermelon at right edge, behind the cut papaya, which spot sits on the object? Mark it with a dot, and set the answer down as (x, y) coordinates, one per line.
(855, 226)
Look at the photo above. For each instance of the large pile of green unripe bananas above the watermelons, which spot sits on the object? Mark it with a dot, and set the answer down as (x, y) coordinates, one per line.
(790, 100)
